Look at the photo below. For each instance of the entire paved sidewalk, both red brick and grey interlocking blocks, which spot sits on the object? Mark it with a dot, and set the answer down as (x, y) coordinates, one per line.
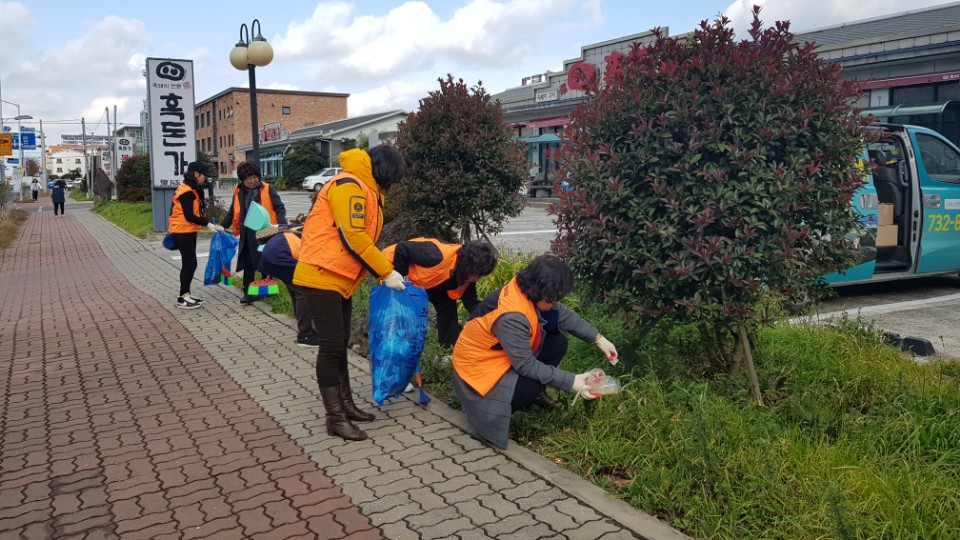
(177, 432)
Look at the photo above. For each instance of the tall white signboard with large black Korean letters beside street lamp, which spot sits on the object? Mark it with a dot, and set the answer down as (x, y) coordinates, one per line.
(170, 104)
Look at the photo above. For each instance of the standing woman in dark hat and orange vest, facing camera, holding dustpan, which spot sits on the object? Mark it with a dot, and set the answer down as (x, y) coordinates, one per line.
(251, 189)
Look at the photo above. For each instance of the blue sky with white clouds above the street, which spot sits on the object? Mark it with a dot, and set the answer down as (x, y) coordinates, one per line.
(62, 61)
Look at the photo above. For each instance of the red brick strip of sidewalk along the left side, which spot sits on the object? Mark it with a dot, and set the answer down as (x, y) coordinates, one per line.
(117, 423)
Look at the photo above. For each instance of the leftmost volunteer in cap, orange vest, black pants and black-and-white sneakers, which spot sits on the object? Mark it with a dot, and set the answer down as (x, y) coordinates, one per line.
(186, 220)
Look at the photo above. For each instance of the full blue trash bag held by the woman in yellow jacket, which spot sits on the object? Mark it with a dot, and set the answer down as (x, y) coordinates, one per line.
(397, 331)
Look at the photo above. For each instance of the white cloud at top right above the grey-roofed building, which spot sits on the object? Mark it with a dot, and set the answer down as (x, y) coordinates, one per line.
(815, 14)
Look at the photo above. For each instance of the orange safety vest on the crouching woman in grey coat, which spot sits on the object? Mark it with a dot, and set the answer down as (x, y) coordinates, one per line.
(479, 359)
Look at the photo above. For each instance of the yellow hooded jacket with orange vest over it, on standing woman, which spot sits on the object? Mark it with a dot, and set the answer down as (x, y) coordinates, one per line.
(340, 234)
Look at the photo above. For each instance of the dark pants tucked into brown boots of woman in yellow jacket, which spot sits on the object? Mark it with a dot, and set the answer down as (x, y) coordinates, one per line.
(332, 313)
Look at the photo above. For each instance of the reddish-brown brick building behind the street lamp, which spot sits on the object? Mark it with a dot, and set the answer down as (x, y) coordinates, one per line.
(223, 121)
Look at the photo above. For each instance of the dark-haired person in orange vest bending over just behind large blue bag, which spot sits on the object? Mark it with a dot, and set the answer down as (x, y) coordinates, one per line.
(448, 272)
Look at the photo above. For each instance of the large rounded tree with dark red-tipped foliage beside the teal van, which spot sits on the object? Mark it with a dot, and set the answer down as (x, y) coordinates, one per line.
(708, 172)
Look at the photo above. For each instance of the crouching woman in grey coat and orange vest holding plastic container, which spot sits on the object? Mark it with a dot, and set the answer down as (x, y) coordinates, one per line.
(507, 355)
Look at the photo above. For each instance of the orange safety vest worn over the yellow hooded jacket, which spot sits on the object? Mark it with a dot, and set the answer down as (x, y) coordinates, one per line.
(321, 244)
